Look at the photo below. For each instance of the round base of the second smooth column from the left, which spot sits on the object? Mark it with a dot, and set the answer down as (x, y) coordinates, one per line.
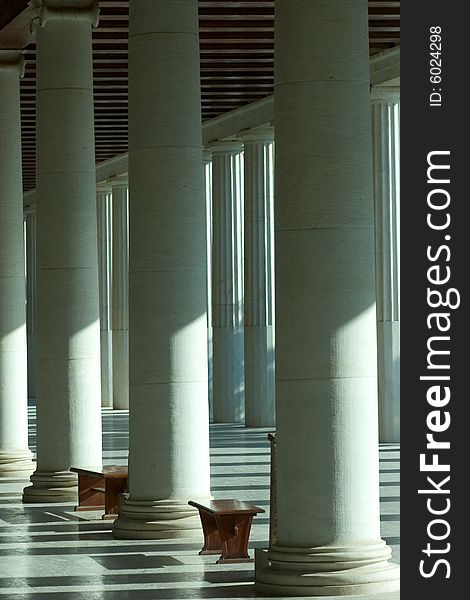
(58, 486)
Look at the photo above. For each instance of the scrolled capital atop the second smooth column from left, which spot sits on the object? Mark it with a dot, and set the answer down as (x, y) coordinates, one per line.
(43, 11)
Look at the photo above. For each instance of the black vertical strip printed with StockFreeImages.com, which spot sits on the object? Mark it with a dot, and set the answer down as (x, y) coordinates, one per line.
(426, 128)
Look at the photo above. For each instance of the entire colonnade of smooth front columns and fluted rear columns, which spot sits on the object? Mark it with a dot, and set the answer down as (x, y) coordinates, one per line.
(328, 528)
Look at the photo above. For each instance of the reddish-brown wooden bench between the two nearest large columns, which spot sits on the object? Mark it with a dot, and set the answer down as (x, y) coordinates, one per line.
(226, 525)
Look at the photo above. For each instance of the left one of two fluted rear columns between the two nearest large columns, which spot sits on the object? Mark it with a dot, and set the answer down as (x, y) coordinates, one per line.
(227, 282)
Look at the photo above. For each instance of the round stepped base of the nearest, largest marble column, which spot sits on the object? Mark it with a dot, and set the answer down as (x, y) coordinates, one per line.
(325, 571)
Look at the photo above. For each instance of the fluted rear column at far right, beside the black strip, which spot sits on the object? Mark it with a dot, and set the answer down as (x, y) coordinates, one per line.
(386, 174)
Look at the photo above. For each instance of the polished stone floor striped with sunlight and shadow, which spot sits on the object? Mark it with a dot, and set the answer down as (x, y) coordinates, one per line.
(48, 552)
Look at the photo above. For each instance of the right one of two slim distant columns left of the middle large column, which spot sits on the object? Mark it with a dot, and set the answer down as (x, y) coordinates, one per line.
(120, 292)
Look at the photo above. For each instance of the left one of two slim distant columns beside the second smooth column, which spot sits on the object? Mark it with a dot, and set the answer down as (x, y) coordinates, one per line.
(103, 213)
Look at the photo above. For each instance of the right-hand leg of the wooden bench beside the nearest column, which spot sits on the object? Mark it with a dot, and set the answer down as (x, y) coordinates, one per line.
(234, 534)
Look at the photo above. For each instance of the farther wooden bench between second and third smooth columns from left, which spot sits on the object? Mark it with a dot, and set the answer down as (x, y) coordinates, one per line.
(99, 488)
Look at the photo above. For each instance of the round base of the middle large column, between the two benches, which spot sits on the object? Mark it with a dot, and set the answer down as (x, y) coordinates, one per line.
(161, 519)
